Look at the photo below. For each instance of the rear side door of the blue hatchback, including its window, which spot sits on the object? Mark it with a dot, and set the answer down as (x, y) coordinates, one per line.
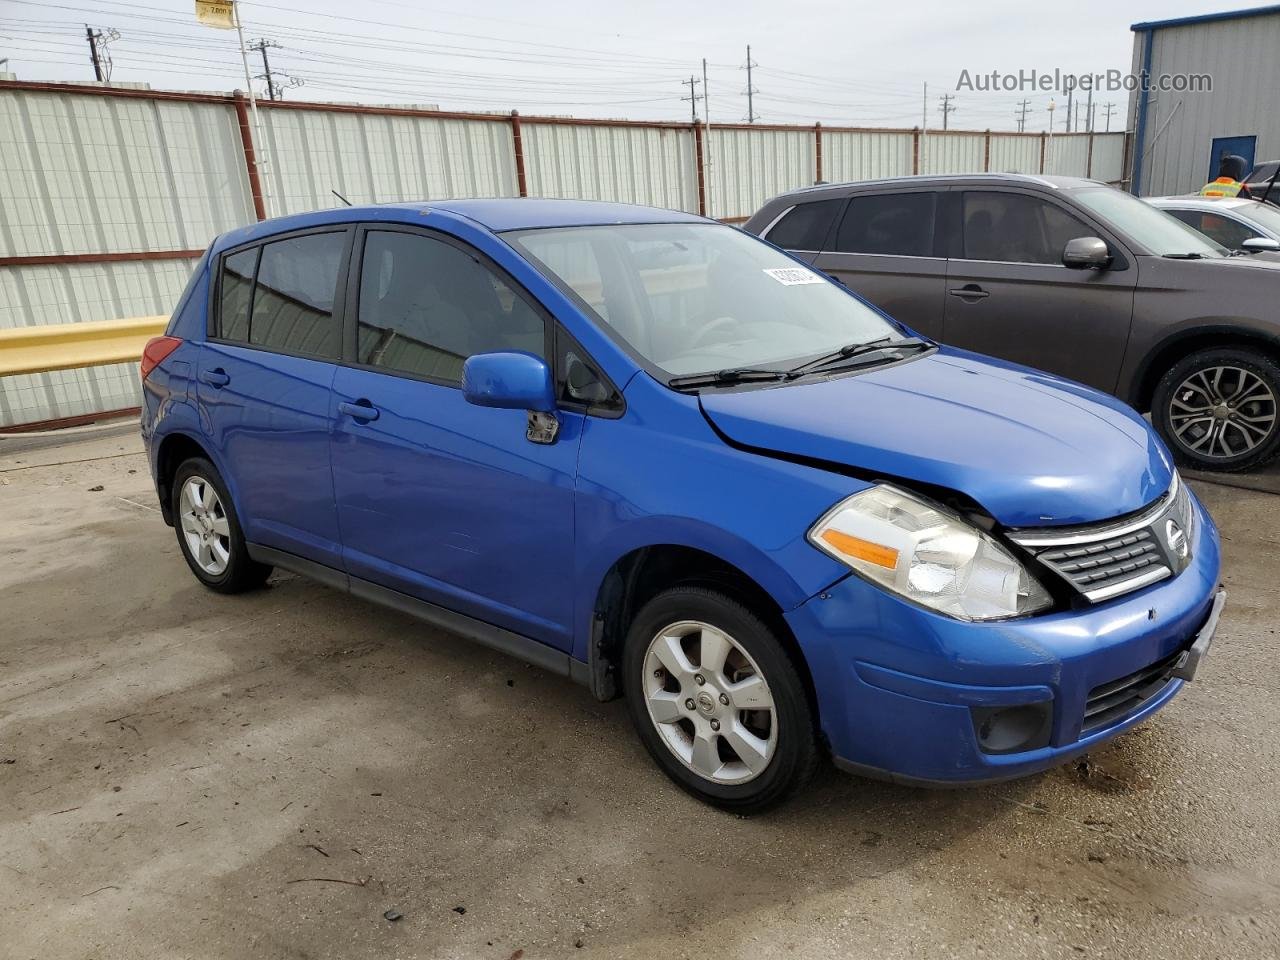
(264, 382)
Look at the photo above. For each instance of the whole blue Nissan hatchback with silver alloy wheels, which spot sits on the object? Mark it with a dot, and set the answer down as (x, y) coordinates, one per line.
(662, 458)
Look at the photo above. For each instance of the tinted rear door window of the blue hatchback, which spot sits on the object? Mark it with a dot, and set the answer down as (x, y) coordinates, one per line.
(298, 281)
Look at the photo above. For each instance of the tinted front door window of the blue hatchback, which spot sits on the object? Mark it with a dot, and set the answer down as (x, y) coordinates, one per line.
(426, 307)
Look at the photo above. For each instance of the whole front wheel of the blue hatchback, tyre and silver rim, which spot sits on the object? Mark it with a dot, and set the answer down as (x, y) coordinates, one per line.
(717, 701)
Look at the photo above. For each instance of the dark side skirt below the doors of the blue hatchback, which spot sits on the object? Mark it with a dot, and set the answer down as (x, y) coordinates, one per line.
(487, 634)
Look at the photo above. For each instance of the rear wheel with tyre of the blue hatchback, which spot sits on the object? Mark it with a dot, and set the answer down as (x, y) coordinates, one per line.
(209, 532)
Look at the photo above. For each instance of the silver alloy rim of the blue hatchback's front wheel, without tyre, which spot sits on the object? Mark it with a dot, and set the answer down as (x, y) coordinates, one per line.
(710, 703)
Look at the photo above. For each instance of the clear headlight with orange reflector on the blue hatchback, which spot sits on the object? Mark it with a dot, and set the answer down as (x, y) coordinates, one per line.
(929, 555)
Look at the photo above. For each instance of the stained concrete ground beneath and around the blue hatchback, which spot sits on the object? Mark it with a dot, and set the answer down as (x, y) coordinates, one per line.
(185, 775)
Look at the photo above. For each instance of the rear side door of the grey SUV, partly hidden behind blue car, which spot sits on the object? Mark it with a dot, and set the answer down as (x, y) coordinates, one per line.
(886, 249)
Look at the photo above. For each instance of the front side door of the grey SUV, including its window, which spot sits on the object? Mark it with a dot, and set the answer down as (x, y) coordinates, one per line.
(1011, 296)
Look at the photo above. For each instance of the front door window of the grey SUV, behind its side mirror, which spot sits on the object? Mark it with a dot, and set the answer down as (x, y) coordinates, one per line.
(1017, 228)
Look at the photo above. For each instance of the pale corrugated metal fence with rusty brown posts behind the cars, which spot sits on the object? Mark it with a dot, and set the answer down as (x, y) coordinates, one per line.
(111, 194)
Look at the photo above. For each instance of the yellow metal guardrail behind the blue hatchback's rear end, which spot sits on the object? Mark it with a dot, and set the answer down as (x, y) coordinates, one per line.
(36, 350)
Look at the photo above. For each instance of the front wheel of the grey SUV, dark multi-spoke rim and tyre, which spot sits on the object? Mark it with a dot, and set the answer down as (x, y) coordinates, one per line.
(1218, 410)
